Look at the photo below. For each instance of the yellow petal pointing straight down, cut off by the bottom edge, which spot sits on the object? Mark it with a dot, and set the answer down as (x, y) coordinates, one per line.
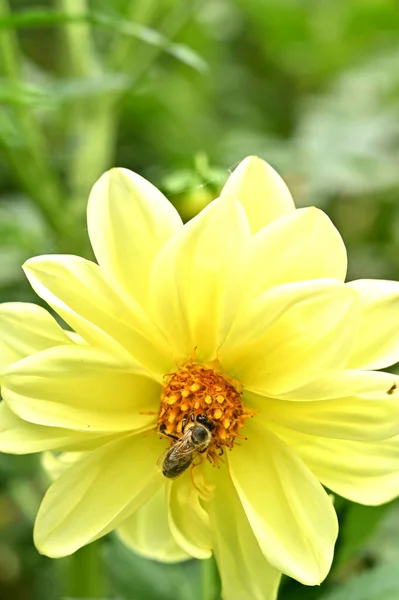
(244, 572)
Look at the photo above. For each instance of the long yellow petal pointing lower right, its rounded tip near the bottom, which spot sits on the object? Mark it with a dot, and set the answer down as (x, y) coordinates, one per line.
(291, 515)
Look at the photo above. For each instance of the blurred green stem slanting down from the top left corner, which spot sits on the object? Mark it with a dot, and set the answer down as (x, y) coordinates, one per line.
(29, 159)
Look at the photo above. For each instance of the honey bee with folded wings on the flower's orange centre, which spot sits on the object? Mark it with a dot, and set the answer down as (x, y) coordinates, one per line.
(195, 440)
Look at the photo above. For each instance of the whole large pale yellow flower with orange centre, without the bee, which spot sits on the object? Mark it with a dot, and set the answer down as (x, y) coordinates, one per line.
(241, 316)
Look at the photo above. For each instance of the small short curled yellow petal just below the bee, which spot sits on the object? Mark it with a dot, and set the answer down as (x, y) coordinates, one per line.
(188, 520)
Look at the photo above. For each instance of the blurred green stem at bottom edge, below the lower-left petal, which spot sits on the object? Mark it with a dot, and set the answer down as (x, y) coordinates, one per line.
(85, 574)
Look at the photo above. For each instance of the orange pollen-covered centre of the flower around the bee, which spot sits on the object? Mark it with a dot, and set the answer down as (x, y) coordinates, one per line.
(195, 389)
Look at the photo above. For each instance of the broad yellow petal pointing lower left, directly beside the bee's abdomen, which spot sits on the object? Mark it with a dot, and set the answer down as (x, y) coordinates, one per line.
(96, 494)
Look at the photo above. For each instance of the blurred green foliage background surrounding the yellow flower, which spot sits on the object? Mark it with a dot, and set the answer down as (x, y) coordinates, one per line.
(180, 91)
